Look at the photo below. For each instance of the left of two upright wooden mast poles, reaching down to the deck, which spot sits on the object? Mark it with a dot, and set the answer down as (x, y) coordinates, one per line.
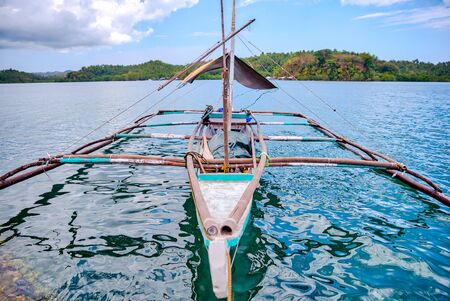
(226, 111)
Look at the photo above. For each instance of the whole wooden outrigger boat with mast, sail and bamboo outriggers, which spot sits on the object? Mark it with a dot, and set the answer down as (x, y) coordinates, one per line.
(226, 154)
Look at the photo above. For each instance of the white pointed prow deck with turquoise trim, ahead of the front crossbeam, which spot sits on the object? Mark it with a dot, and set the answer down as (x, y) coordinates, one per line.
(224, 196)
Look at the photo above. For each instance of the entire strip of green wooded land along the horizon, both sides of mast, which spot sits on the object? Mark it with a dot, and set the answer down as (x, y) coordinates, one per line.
(323, 64)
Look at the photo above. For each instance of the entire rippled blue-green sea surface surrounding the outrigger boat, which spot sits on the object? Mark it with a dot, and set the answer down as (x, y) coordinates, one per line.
(97, 232)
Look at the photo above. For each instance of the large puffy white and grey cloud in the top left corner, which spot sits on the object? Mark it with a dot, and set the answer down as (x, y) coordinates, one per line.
(66, 24)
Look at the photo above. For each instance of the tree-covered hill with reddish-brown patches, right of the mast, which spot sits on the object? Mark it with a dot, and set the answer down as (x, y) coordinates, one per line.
(346, 66)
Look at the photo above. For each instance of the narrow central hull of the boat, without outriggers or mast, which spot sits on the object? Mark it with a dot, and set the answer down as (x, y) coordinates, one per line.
(223, 197)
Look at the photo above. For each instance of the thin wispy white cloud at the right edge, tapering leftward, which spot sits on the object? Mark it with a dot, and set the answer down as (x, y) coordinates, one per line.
(437, 16)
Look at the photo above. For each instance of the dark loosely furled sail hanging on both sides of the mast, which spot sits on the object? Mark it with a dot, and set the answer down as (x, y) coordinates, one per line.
(243, 73)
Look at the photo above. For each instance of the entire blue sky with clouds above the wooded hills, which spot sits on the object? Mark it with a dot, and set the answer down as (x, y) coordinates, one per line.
(58, 35)
